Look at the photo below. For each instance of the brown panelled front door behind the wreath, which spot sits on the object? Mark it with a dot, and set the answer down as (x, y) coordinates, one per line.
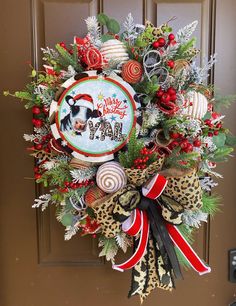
(37, 267)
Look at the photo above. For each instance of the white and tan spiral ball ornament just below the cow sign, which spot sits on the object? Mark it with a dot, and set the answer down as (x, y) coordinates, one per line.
(111, 177)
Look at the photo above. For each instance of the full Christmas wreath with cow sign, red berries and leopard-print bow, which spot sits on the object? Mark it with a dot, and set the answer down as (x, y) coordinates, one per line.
(127, 134)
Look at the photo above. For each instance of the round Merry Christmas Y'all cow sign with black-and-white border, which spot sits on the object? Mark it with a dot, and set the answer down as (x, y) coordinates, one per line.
(94, 116)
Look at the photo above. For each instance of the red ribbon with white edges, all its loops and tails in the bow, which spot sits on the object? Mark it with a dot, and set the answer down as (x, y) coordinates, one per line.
(138, 222)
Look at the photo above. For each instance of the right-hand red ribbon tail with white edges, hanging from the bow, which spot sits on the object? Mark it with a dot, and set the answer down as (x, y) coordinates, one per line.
(196, 263)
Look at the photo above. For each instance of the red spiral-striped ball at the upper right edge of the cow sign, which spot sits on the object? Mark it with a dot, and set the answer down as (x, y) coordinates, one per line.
(132, 72)
